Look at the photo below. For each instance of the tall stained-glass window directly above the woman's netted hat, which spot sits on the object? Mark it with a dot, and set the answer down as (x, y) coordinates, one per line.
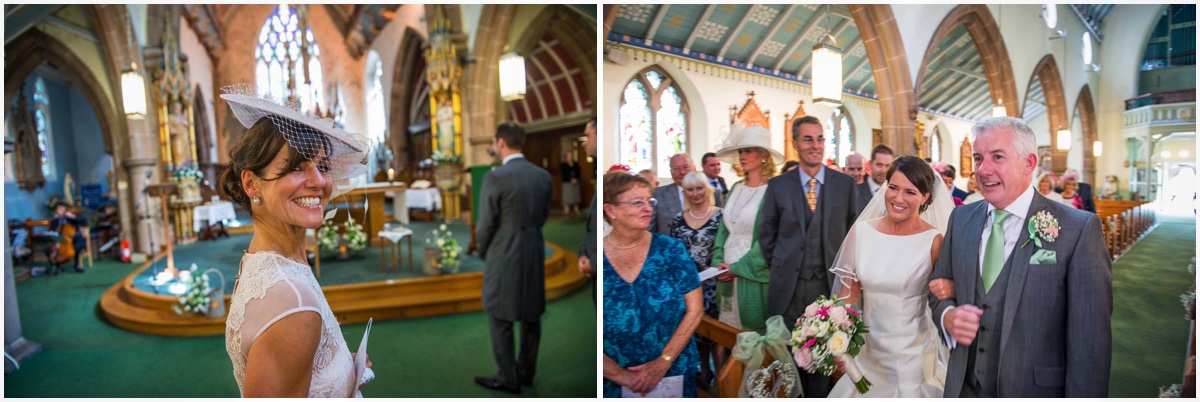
(280, 62)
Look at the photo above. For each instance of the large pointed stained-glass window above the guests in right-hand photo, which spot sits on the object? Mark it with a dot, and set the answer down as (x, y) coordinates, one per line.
(653, 123)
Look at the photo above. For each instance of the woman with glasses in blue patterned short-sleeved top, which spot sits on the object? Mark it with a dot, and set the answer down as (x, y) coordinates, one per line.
(652, 296)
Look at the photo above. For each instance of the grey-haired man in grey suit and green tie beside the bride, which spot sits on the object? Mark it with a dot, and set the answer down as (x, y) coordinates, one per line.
(1023, 320)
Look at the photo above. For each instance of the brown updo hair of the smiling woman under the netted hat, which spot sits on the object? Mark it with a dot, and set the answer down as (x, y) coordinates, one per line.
(256, 151)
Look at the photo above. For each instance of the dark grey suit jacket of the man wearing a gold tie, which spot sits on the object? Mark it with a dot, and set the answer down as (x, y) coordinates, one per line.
(782, 230)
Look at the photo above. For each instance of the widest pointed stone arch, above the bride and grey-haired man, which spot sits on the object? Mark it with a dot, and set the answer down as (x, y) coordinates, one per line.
(991, 45)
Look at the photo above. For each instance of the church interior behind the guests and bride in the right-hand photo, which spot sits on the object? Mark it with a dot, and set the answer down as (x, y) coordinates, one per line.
(1108, 89)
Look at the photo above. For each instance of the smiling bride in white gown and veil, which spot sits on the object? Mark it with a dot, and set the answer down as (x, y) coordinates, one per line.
(884, 267)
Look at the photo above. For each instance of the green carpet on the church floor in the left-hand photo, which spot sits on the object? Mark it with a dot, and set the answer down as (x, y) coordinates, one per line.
(433, 357)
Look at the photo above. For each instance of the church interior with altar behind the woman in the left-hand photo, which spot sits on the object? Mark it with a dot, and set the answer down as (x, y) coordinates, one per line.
(115, 119)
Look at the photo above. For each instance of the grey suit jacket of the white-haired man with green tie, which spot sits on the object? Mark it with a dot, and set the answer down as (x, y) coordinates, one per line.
(1057, 340)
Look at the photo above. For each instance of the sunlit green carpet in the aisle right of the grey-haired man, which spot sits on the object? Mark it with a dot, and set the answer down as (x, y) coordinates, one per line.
(1150, 335)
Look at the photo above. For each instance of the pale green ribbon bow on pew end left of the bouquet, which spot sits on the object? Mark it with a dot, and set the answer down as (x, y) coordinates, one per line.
(749, 351)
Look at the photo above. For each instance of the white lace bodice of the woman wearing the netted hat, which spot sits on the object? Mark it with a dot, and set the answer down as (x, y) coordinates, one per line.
(271, 289)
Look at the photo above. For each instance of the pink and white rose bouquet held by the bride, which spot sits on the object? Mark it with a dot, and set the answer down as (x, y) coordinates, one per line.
(827, 338)
